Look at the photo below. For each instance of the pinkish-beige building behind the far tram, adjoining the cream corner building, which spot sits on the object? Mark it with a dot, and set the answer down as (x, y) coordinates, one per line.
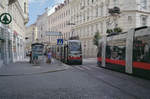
(58, 20)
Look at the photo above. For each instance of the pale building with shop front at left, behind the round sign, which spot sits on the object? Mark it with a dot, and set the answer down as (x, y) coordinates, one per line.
(12, 35)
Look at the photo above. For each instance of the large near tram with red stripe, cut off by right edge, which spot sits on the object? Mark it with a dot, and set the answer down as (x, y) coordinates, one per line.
(127, 52)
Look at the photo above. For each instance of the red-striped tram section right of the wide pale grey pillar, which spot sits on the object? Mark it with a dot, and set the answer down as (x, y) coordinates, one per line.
(141, 55)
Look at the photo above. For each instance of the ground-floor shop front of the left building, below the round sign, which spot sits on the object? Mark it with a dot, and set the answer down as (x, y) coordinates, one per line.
(11, 46)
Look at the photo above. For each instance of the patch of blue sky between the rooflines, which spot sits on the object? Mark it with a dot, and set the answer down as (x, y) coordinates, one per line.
(37, 7)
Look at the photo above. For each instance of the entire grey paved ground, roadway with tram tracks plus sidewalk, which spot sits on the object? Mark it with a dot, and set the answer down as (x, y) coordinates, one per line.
(59, 81)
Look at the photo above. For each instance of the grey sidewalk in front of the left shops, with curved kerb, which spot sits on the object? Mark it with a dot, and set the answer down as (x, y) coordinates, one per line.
(25, 68)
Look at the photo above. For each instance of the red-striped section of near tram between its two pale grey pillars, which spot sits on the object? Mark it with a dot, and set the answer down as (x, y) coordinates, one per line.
(115, 54)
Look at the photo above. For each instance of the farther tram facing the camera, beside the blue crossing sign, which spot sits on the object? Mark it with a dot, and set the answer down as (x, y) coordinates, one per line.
(70, 52)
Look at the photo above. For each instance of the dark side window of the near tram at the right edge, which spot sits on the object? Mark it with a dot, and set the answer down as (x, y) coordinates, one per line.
(141, 49)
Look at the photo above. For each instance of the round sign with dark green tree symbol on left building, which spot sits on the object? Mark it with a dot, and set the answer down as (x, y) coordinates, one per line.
(5, 18)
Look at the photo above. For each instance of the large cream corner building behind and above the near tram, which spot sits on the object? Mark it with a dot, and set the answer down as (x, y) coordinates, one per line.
(91, 16)
